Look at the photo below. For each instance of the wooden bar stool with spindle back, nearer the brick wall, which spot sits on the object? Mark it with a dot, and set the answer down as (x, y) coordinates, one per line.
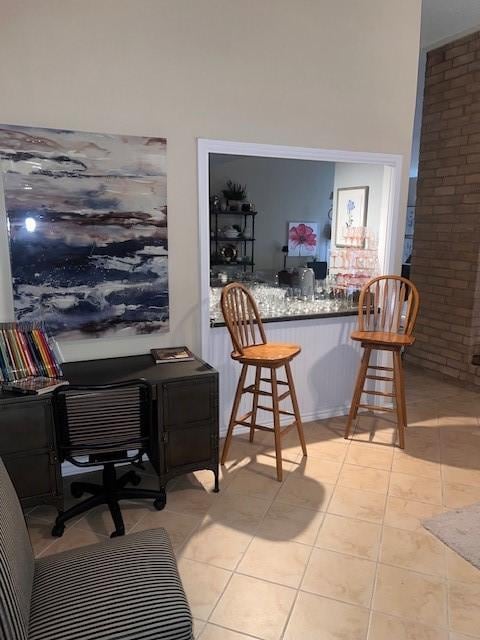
(387, 312)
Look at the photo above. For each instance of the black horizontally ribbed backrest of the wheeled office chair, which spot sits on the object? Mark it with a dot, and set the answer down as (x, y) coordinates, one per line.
(103, 419)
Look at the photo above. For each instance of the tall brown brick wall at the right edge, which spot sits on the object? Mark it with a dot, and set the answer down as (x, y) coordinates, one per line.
(446, 246)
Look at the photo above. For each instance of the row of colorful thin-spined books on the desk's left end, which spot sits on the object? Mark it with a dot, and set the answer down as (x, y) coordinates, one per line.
(25, 351)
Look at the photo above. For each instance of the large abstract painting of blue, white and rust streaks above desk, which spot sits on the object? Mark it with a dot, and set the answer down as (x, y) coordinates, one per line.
(87, 218)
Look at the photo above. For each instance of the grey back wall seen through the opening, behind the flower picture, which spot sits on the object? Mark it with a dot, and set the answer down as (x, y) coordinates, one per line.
(283, 191)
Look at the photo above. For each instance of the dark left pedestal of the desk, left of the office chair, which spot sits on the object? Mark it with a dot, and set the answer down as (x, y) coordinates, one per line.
(28, 448)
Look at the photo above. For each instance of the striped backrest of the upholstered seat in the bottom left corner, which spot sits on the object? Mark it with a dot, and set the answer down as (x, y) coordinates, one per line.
(16, 564)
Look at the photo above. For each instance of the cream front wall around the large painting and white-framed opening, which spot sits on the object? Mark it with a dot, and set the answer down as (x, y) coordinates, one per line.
(311, 73)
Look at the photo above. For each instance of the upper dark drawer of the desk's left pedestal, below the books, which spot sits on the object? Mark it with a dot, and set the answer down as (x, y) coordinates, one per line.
(25, 426)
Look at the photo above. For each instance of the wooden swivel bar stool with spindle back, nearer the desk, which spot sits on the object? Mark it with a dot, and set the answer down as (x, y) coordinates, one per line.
(251, 349)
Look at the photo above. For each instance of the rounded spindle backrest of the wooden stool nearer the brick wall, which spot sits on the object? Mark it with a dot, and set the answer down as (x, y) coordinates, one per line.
(388, 303)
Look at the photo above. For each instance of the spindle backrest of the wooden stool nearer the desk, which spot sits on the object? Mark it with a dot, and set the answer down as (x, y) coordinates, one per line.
(242, 317)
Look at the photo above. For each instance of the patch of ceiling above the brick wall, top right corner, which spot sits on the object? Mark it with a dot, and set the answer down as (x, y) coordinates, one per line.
(444, 19)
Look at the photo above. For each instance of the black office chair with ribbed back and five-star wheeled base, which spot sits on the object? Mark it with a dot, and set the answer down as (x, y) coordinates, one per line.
(108, 424)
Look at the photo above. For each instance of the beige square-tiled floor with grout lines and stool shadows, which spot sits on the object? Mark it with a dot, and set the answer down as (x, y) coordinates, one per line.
(336, 551)
